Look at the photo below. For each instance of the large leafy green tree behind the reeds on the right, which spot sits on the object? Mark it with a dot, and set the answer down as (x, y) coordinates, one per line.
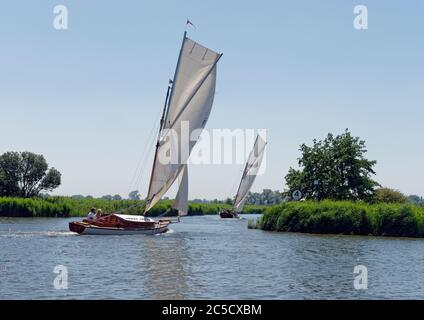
(333, 168)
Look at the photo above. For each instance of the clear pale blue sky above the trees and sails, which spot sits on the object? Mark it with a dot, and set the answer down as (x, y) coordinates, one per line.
(89, 98)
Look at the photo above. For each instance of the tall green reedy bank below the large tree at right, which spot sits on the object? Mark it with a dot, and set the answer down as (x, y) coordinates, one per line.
(330, 217)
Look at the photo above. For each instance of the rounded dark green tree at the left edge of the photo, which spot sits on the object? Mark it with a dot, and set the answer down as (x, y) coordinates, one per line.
(26, 174)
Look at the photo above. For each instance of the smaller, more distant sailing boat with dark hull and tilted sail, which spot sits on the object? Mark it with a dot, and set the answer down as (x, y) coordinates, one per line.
(249, 174)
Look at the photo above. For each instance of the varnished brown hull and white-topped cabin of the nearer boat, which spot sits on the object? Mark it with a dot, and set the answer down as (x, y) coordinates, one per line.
(118, 225)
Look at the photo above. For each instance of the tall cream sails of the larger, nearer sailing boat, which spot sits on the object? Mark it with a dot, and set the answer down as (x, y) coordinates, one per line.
(188, 110)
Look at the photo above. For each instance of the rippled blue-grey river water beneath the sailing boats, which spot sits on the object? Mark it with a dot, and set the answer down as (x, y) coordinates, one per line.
(203, 258)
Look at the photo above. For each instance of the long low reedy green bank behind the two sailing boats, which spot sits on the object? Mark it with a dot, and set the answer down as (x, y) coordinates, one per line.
(71, 207)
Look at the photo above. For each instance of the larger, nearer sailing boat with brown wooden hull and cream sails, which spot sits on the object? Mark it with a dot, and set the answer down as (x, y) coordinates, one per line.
(188, 103)
